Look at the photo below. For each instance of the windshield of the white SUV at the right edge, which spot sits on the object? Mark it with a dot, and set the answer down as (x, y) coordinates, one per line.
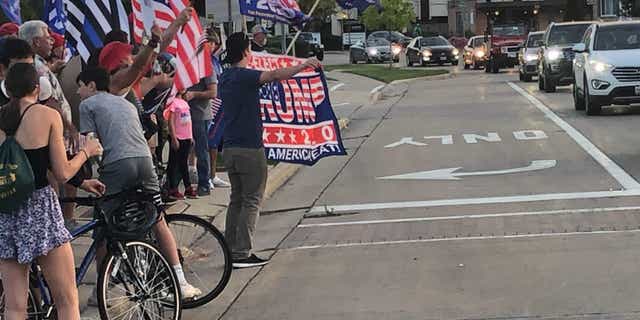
(621, 37)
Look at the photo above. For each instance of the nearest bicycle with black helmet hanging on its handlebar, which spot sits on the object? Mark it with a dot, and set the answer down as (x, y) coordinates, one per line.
(134, 276)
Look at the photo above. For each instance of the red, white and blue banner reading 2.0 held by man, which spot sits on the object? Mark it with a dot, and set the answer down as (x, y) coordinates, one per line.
(299, 125)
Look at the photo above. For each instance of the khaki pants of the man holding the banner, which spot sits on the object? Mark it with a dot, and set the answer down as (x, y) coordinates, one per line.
(247, 169)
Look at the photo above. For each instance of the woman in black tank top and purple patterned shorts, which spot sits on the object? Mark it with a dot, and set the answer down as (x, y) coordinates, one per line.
(36, 230)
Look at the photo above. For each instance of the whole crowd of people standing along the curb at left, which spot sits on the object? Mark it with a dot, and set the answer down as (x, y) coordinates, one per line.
(53, 106)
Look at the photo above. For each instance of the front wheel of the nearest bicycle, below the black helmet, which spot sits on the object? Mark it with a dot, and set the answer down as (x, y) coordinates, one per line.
(138, 283)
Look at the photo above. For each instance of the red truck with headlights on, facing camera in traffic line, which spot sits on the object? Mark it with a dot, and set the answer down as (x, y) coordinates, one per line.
(503, 46)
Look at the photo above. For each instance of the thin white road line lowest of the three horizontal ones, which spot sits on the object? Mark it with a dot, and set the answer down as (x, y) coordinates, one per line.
(517, 236)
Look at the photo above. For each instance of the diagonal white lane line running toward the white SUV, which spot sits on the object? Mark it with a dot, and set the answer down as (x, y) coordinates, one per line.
(614, 170)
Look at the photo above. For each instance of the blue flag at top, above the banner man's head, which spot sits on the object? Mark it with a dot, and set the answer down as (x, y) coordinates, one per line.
(283, 11)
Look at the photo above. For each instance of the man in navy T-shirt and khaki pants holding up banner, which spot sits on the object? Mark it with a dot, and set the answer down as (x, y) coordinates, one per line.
(244, 154)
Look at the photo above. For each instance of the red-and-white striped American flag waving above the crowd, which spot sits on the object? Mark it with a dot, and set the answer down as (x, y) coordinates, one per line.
(191, 65)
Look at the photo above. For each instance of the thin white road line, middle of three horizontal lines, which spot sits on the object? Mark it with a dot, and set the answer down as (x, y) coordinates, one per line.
(471, 216)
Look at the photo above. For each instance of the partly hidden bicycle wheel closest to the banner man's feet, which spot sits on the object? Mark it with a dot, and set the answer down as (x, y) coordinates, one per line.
(204, 256)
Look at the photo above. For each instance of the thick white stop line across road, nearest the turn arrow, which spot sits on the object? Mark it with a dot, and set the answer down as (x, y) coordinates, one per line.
(322, 209)
